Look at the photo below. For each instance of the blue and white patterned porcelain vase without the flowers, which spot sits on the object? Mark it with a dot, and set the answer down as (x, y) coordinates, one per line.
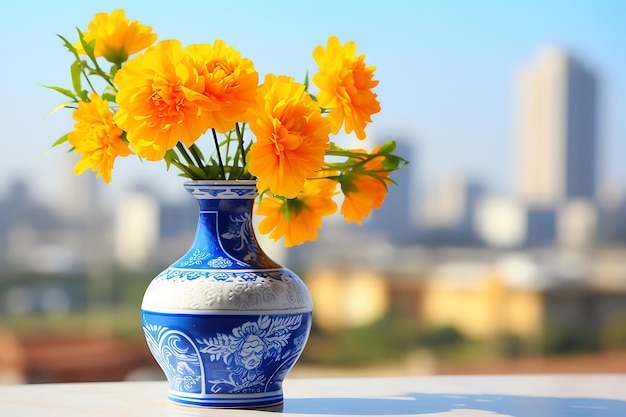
(225, 322)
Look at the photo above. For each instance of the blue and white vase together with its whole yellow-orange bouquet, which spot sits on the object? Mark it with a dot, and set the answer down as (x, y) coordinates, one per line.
(225, 322)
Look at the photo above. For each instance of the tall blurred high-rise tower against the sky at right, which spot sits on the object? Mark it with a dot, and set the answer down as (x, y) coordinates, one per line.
(557, 129)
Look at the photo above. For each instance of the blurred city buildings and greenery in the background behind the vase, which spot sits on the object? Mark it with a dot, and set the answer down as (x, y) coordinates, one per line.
(449, 279)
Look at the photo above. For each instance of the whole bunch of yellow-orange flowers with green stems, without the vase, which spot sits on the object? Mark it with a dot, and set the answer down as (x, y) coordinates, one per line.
(203, 110)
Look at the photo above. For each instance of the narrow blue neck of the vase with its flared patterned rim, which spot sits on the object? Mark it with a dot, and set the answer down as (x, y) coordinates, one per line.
(225, 236)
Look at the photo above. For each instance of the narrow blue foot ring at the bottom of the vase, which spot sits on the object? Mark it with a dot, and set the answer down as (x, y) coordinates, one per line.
(274, 400)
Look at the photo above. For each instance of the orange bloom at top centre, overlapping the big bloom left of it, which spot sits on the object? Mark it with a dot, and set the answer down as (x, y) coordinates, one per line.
(224, 82)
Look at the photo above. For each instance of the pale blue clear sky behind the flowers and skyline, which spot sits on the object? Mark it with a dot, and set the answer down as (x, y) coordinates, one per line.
(446, 71)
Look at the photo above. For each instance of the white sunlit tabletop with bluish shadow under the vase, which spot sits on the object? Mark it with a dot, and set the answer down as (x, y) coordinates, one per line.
(518, 396)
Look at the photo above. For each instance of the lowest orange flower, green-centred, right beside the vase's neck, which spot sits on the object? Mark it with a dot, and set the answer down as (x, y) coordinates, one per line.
(298, 219)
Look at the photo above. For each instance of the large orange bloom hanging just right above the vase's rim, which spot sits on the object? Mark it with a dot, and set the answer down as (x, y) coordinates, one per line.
(291, 136)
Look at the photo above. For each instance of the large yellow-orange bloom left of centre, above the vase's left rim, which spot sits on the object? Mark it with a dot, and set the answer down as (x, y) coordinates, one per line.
(154, 108)
